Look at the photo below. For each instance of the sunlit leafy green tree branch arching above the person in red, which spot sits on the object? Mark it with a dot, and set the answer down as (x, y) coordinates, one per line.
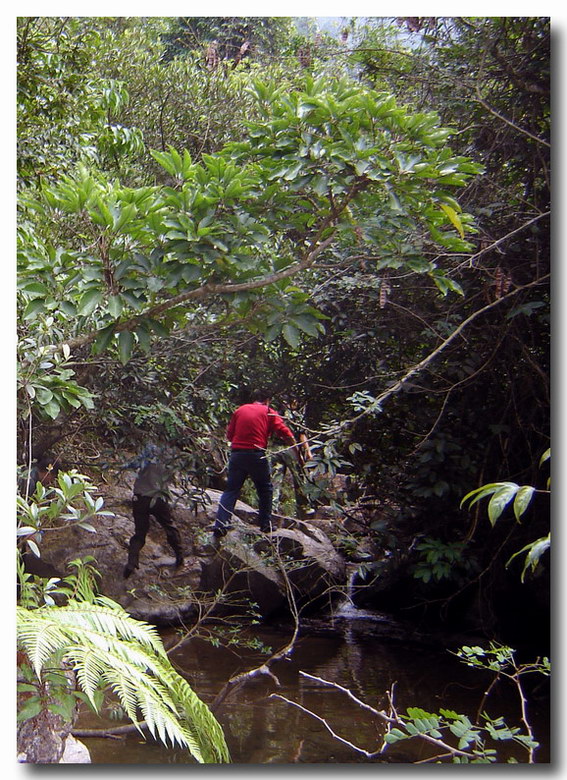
(321, 166)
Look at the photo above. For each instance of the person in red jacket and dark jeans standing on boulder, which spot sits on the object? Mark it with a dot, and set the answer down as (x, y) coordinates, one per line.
(249, 430)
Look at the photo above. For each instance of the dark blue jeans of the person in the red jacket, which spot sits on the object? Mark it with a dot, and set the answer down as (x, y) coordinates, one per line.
(243, 464)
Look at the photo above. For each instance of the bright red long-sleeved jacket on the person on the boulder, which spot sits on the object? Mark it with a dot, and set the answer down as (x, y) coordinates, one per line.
(251, 425)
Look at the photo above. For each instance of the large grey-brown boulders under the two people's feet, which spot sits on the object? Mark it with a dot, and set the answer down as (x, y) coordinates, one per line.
(161, 594)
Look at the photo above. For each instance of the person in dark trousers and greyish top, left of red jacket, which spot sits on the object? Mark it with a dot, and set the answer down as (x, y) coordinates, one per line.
(151, 497)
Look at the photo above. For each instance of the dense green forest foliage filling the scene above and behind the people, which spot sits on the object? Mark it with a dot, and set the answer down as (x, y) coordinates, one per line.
(360, 222)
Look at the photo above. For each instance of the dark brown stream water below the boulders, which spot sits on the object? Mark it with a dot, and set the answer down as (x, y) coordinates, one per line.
(357, 654)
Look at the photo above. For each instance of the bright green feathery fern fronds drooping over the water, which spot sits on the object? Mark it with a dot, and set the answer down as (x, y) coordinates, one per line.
(107, 648)
